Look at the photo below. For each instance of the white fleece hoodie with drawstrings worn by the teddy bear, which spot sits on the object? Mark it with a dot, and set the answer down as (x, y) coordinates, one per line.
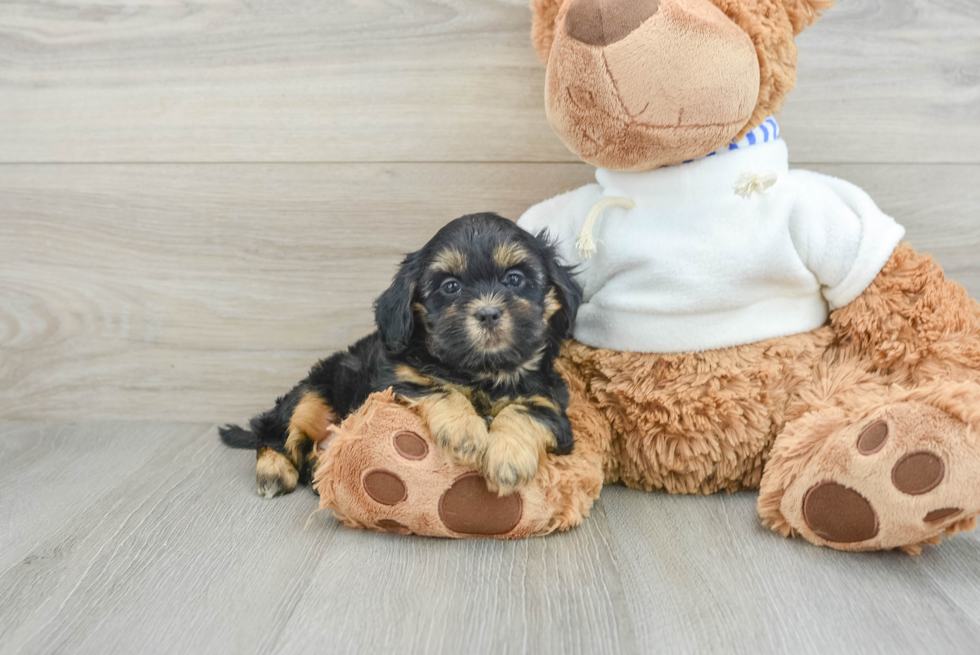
(695, 266)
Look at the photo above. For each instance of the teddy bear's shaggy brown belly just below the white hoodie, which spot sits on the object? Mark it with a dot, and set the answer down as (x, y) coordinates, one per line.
(698, 423)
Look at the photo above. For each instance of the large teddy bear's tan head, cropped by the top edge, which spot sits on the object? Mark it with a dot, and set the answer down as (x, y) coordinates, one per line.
(633, 85)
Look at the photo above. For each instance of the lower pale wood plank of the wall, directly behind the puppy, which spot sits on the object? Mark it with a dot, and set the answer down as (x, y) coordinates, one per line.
(201, 292)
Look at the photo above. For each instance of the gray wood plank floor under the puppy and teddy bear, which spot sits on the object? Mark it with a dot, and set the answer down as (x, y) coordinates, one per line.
(146, 537)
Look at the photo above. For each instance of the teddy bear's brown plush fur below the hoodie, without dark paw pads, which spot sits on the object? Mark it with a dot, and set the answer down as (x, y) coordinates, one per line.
(780, 415)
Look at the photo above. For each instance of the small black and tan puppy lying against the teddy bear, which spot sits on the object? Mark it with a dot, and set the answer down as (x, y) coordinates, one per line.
(468, 332)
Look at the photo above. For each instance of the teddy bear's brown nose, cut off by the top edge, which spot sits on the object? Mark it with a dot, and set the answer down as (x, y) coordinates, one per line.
(601, 22)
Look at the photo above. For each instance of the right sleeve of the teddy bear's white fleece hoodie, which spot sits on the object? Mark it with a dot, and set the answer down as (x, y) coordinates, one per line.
(840, 234)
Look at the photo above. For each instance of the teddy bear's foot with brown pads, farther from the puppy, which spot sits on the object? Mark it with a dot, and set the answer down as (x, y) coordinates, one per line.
(897, 477)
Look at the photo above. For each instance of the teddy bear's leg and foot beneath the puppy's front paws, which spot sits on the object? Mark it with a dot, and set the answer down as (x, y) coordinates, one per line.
(383, 470)
